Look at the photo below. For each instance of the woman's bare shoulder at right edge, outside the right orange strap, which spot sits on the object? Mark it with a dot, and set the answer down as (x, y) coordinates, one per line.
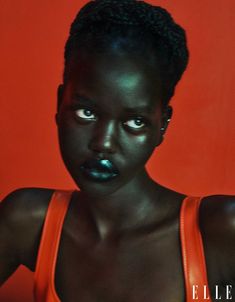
(217, 223)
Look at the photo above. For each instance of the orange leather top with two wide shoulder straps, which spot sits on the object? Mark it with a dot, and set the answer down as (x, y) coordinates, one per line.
(191, 245)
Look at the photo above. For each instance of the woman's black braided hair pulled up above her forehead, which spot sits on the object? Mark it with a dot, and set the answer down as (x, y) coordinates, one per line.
(134, 27)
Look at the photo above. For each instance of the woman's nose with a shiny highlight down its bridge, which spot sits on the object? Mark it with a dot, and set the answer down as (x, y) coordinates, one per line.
(104, 139)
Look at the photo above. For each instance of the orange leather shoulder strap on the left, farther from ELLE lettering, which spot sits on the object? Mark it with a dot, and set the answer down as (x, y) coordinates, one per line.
(44, 290)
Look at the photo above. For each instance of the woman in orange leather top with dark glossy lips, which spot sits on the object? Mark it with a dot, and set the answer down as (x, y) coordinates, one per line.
(121, 237)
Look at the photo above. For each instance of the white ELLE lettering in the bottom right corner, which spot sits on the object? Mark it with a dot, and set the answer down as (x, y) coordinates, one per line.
(203, 293)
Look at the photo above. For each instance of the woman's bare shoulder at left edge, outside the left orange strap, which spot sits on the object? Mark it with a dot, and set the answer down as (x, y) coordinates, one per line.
(22, 214)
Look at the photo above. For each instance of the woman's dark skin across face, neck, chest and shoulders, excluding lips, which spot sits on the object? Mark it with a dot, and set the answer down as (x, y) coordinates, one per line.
(120, 239)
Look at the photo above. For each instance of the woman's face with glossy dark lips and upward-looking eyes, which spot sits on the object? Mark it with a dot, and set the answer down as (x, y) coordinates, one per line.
(109, 120)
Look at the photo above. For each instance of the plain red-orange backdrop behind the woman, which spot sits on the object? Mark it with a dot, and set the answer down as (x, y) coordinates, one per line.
(198, 155)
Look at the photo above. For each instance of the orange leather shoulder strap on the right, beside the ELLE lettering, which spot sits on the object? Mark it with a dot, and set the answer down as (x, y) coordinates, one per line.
(192, 252)
